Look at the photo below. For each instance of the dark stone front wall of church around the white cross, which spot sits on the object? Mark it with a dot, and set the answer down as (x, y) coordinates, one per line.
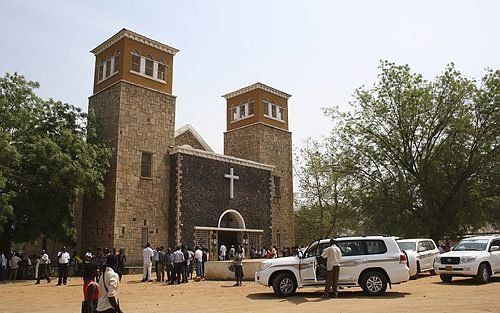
(202, 195)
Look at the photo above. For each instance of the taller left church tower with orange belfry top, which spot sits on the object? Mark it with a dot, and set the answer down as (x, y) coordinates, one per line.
(135, 111)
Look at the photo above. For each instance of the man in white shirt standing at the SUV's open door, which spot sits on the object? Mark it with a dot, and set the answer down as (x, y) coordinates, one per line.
(333, 257)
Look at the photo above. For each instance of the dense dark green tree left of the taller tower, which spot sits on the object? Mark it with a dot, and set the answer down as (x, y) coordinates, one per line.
(48, 159)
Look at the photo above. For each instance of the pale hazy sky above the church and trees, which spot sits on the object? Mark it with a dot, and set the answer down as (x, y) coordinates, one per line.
(317, 51)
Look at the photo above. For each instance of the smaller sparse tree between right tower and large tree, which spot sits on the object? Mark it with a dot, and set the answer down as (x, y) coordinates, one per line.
(324, 206)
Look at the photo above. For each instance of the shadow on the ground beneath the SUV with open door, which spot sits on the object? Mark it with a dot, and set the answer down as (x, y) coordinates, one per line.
(315, 296)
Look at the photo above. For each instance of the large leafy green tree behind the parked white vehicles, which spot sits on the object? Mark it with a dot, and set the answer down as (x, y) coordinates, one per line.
(424, 154)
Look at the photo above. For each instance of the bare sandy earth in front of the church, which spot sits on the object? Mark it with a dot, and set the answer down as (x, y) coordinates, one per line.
(427, 294)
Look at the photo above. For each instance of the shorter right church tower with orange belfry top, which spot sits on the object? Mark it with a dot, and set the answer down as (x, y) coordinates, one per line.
(257, 130)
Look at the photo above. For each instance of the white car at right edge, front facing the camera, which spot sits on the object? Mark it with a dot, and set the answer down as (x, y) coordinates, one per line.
(477, 257)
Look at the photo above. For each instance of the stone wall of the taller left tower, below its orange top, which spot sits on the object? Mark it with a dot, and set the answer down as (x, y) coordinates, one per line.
(134, 119)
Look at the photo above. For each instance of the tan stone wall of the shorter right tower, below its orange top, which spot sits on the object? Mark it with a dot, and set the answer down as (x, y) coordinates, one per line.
(269, 145)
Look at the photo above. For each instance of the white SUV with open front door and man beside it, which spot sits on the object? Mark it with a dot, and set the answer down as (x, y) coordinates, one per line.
(371, 262)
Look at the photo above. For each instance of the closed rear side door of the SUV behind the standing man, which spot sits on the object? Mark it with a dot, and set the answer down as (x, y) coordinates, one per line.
(353, 260)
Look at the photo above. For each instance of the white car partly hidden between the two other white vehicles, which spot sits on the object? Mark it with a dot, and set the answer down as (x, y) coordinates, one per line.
(421, 254)
